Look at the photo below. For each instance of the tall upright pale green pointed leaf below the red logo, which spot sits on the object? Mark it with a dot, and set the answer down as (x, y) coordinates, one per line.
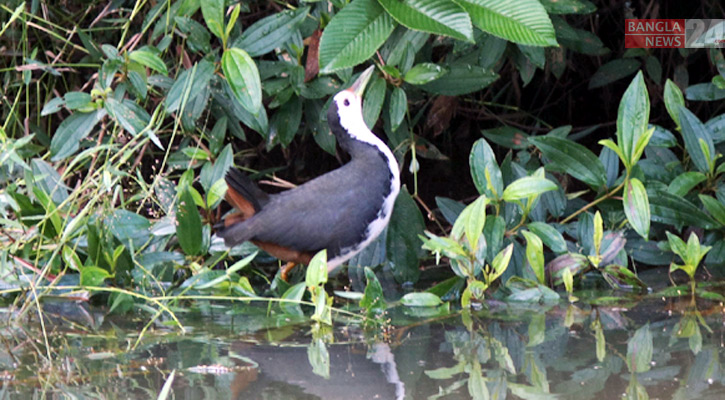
(632, 117)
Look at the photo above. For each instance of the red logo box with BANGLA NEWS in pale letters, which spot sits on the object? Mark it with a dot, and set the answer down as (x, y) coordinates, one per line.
(654, 33)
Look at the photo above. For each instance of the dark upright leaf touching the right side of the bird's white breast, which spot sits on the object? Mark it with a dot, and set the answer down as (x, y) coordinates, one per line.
(403, 245)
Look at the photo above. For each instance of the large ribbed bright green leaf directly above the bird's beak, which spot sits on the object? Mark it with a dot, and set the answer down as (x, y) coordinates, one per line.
(353, 35)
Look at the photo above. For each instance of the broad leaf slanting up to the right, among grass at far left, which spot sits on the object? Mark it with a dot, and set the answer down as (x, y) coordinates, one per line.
(66, 139)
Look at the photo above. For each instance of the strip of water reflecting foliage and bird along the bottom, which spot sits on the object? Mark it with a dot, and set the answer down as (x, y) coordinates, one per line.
(656, 349)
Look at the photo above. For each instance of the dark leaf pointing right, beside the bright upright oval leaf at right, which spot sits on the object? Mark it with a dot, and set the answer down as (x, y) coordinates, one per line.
(669, 209)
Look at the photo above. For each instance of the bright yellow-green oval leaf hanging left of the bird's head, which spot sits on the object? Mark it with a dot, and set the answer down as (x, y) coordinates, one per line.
(243, 77)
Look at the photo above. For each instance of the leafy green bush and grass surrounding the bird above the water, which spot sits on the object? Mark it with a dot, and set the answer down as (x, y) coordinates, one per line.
(117, 134)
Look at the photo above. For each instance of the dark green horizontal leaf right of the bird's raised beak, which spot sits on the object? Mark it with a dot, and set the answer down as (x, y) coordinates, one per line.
(461, 79)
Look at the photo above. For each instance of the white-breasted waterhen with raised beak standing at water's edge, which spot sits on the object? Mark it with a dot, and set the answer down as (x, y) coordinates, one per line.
(341, 211)
